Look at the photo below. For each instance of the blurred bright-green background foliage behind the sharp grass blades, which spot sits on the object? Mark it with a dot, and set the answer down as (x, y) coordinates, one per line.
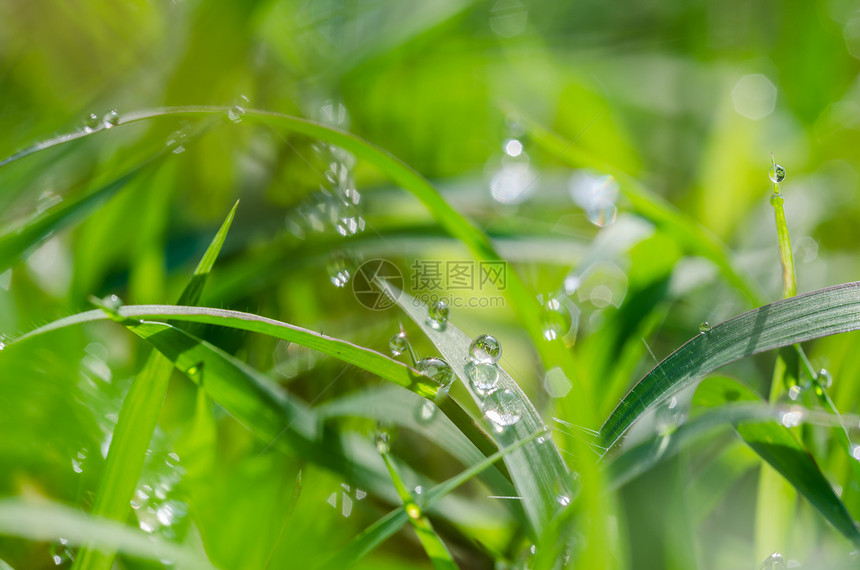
(690, 98)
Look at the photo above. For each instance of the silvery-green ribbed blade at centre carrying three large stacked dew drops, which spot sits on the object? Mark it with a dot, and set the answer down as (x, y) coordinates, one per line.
(537, 470)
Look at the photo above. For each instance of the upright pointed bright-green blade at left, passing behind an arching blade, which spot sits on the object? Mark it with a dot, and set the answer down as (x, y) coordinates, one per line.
(138, 418)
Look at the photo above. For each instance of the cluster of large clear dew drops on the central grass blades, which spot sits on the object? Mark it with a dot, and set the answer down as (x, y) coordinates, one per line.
(499, 405)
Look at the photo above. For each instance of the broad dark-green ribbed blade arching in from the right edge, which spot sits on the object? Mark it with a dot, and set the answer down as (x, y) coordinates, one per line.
(812, 315)
